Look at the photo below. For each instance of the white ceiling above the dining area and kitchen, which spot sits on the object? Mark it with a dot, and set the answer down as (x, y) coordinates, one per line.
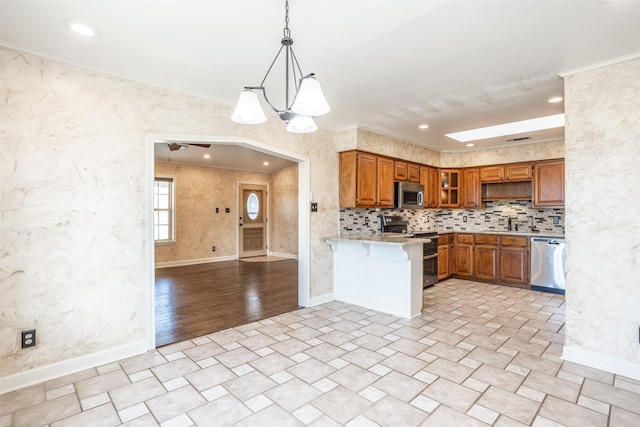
(386, 66)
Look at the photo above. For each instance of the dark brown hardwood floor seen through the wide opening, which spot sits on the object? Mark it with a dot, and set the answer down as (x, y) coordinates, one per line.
(197, 300)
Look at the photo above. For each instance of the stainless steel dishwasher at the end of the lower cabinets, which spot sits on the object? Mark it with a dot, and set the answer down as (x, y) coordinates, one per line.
(547, 264)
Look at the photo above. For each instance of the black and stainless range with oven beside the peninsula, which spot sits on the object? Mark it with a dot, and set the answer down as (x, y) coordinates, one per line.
(397, 224)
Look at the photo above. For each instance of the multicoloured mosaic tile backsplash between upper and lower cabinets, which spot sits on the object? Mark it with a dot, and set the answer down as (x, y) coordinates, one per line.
(494, 217)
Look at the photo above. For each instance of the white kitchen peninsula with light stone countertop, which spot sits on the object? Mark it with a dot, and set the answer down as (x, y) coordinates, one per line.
(379, 271)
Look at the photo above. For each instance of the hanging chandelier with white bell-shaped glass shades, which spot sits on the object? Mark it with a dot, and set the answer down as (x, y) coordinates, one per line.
(307, 101)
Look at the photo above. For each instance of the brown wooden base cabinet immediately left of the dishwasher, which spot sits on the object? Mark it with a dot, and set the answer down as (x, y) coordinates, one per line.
(514, 260)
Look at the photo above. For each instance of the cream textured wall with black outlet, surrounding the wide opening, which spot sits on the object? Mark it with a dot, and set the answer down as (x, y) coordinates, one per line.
(74, 161)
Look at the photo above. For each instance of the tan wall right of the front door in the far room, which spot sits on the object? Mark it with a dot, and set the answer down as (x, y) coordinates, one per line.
(284, 210)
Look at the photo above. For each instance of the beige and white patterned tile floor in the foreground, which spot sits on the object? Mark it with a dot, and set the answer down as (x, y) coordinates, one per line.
(478, 355)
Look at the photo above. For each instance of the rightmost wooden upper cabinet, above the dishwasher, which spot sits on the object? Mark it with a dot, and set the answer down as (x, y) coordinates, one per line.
(548, 184)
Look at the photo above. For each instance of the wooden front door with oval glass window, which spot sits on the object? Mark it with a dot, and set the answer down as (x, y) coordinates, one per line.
(252, 221)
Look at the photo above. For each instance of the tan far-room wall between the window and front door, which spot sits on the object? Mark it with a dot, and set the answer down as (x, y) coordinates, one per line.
(199, 191)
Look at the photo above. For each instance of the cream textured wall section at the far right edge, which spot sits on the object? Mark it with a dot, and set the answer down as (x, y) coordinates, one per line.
(603, 205)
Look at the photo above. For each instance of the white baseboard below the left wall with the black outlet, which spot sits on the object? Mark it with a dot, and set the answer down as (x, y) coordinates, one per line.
(70, 366)
